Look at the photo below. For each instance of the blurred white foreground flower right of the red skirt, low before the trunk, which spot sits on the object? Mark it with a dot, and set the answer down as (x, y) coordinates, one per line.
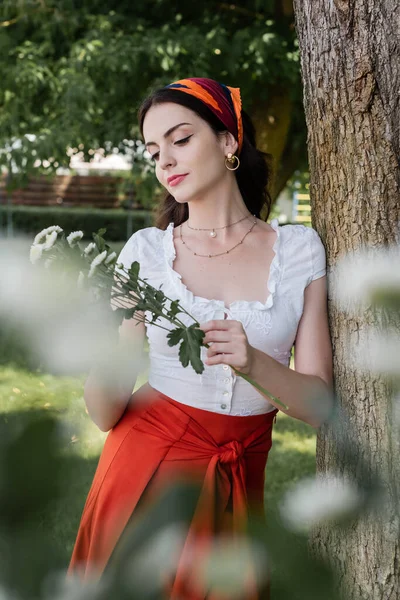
(318, 499)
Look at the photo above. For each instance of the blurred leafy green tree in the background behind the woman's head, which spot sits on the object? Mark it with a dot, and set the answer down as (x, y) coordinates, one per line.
(73, 74)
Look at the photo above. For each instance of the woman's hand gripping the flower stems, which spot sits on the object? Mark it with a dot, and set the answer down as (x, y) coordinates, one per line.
(229, 346)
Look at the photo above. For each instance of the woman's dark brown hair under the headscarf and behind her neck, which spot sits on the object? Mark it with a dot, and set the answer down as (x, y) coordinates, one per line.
(253, 174)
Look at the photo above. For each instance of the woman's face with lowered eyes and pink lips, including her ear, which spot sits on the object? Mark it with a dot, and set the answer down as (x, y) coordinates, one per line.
(181, 143)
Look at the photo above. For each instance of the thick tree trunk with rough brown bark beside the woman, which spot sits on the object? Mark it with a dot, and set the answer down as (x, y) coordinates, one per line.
(350, 59)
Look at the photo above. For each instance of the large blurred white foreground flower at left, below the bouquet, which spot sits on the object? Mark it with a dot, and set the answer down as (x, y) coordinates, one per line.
(58, 319)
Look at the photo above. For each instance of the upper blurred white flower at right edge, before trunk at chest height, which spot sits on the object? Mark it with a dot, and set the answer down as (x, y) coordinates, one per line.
(358, 276)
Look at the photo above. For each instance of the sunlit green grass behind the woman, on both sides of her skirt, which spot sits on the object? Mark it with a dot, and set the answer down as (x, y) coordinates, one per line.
(292, 455)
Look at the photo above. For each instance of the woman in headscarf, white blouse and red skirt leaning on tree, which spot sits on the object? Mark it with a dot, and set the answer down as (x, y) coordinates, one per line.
(256, 288)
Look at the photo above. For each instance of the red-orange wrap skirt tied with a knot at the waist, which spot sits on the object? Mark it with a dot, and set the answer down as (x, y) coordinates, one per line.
(156, 440)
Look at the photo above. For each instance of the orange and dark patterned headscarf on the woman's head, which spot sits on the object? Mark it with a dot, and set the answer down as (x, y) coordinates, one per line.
(224, 101)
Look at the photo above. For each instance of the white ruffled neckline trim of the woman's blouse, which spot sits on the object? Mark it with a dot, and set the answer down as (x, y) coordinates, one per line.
(189, 298)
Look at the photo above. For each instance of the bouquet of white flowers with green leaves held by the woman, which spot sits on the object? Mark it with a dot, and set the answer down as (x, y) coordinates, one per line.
(128, 296)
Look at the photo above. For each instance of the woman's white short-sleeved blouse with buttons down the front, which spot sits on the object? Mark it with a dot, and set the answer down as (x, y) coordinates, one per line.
(299, 258)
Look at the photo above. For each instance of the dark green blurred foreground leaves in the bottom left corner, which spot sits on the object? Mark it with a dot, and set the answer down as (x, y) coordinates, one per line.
(33, 476)
